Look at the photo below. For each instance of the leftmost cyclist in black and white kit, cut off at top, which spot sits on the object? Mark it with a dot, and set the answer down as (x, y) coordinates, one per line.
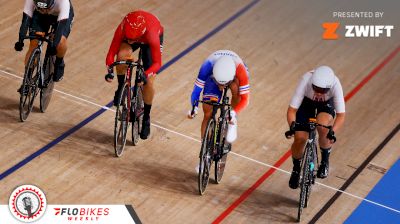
(38, 15)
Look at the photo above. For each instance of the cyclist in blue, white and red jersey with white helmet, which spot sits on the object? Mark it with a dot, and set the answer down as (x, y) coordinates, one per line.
(222, 68)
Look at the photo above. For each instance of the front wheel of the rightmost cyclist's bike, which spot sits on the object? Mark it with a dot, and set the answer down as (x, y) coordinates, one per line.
(305, 182)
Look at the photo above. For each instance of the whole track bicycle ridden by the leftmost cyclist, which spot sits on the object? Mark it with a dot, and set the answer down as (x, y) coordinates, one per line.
(38, 75)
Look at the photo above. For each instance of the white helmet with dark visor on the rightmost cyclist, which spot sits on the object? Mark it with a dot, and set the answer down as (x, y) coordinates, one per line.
(323, 79)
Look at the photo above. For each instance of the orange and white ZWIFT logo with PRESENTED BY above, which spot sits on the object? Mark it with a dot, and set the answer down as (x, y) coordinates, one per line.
(331, 29)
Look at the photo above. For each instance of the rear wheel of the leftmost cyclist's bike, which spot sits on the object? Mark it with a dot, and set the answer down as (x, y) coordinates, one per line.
(46, 91)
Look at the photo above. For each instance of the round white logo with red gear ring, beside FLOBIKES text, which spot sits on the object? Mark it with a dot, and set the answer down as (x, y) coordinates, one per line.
(27, 203)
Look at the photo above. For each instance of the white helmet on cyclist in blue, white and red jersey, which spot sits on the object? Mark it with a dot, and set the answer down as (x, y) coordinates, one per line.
(224, 70)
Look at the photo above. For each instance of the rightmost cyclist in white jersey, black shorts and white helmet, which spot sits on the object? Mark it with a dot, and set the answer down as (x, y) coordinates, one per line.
(318, 95)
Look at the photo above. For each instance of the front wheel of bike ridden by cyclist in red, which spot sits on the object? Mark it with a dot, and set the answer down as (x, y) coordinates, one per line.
(121, 121)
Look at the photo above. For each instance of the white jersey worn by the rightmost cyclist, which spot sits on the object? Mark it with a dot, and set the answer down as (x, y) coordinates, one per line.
(304, 89)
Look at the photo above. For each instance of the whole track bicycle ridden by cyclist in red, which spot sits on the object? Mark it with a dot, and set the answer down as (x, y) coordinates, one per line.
(130, 107)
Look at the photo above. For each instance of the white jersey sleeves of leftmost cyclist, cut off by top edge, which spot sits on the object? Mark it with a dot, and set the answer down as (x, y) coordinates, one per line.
(61, 9)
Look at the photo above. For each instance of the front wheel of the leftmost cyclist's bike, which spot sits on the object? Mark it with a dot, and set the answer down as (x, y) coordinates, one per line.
(29, 87)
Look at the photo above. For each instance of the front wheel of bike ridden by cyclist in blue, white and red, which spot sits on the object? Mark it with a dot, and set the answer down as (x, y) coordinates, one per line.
(207, 148)
